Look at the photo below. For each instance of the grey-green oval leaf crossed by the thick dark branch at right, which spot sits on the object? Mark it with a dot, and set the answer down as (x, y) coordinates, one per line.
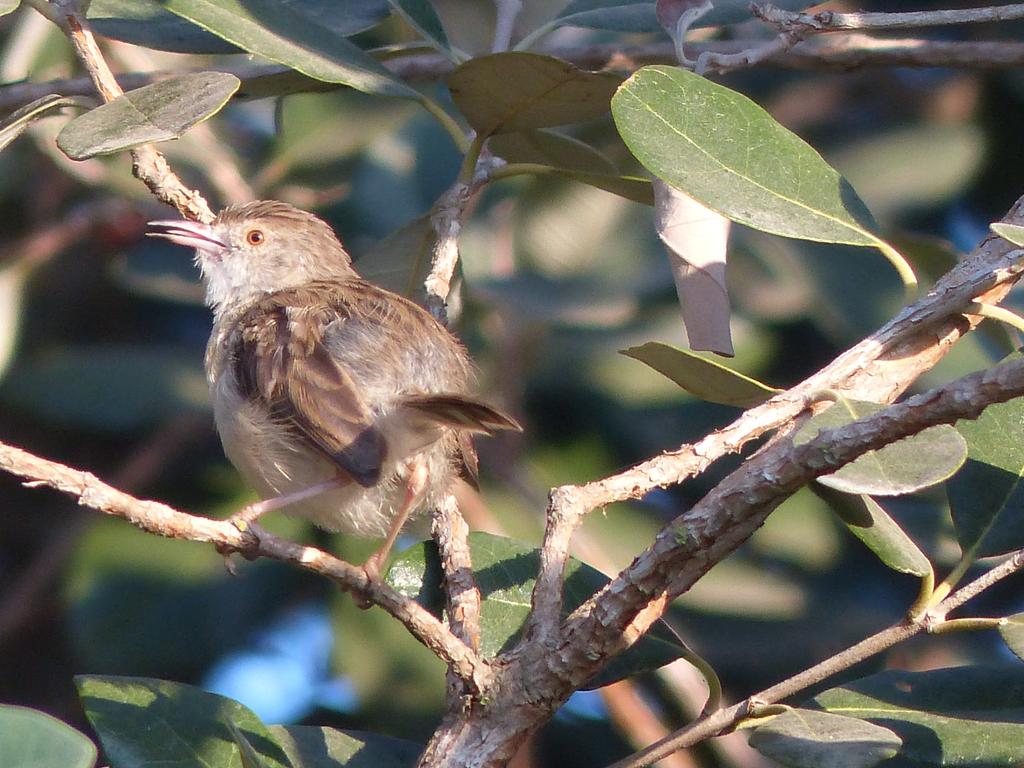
(903, 467)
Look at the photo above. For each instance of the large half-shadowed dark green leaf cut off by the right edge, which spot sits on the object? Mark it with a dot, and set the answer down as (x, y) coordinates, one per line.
(987, 498)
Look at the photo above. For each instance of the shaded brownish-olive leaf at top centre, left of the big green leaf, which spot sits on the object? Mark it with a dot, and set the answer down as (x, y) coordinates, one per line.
(515, 92)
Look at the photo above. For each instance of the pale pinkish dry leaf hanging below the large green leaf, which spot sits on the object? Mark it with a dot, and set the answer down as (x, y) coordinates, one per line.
(695, 240)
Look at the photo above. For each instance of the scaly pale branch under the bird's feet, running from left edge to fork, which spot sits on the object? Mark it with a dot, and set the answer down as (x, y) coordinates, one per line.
(166, 522)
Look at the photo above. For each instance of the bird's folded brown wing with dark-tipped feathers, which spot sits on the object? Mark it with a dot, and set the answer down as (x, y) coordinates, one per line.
(281, 359)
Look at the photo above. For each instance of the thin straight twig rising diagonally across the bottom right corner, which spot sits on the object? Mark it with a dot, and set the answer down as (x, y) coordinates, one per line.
(722, 720)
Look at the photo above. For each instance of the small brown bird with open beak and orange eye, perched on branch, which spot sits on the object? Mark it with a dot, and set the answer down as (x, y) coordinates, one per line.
(343, 401)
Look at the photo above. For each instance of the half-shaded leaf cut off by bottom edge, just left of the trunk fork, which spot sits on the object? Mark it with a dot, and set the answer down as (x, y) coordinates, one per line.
(312, 747)
